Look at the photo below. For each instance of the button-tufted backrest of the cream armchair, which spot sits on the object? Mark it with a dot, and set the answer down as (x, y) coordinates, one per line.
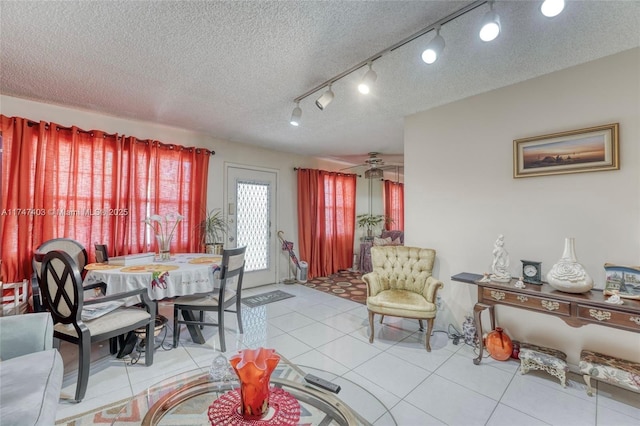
(403, 267)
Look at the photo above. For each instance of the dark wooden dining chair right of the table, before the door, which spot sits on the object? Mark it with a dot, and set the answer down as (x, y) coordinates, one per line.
(220, 300)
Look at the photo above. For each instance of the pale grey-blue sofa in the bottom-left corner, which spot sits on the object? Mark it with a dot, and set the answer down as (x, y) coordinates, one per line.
(31, 371)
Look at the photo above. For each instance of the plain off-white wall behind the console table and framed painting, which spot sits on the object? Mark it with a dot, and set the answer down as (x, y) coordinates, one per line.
(460, 193)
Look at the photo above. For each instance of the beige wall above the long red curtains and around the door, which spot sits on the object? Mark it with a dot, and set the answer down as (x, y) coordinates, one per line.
(226, 152)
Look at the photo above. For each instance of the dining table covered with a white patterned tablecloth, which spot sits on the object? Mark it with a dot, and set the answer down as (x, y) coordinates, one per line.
(183, 274)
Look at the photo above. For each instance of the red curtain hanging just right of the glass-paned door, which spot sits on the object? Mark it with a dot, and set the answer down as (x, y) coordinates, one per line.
(326, 220)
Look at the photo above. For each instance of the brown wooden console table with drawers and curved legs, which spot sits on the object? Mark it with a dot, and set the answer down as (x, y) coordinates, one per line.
(575, 309)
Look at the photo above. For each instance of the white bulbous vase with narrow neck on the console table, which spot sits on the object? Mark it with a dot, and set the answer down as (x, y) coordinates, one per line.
(568, 274)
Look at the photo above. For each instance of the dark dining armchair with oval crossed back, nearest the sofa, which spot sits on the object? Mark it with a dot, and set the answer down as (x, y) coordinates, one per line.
(64, 299)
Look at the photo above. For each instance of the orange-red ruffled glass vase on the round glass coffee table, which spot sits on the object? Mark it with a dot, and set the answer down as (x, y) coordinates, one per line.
(254, 368)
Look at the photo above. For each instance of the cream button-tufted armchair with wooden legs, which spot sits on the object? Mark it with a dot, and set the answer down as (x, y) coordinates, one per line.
(401, 285)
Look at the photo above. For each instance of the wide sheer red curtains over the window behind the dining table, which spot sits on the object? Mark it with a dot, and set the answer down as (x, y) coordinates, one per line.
(92, 187)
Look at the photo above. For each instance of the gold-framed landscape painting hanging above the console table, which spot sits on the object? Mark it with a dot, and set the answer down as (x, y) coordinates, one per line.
(575, 151)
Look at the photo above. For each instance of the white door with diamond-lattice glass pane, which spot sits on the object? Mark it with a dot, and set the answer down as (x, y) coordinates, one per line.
(252, 219)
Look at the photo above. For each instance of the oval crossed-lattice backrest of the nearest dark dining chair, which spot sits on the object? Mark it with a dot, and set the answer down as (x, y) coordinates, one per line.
(61, 285)
